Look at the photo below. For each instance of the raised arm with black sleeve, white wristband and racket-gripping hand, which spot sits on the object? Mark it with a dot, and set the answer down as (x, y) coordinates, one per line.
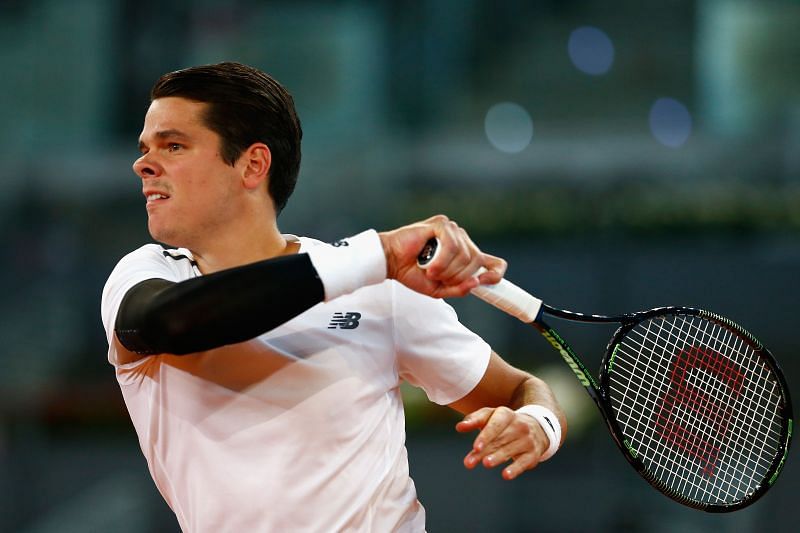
(159, 316)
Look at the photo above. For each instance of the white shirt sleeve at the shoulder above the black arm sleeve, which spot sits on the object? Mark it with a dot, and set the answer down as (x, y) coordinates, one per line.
(145, 263)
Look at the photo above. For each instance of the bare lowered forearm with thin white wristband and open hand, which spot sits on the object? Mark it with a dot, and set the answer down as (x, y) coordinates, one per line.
(506, 434)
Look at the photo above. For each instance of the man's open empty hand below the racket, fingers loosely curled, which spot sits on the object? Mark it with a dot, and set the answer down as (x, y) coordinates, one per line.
(504, 435)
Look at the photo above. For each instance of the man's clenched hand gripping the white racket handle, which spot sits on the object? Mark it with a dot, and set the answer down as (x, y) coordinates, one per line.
(452, 272)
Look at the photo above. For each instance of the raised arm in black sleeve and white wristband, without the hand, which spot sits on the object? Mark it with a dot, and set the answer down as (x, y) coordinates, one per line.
(158, 316)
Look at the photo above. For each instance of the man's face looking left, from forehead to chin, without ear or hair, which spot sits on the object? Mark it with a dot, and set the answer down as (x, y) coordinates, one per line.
(190, 190)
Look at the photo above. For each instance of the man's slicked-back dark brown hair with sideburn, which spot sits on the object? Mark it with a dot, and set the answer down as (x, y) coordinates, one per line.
(246, 106)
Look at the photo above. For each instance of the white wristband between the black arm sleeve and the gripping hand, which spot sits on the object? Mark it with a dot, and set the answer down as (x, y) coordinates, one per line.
(349, 264)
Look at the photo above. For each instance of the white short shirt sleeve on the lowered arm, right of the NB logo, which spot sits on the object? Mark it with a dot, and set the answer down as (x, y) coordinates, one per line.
(434, 350)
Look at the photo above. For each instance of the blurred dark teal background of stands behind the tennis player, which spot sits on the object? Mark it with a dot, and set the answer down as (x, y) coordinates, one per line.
(621, 155)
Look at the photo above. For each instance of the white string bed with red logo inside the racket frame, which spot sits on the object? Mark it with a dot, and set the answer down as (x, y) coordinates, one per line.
(698, 406)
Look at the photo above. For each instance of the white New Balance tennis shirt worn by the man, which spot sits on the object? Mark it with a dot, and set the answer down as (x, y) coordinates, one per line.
(302, 428)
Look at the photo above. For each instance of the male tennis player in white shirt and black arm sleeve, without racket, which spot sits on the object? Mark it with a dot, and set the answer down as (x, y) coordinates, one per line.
(262, 370)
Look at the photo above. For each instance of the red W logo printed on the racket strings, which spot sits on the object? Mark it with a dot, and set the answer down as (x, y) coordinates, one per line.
(695, 375)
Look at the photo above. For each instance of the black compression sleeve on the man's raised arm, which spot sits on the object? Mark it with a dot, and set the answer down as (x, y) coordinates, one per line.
(226, 307)
